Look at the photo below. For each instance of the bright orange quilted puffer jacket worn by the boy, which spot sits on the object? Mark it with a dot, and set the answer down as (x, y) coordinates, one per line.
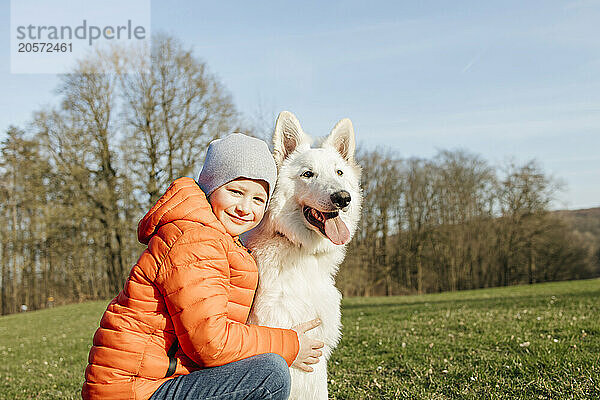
(194, 283)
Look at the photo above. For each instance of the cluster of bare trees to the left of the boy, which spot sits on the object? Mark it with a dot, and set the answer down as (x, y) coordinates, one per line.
(75, 182)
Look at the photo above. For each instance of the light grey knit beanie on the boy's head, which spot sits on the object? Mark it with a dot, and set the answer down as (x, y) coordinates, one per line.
(237, 156)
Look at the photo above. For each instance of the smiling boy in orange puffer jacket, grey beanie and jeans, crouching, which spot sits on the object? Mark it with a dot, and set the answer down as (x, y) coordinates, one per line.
(178, 329)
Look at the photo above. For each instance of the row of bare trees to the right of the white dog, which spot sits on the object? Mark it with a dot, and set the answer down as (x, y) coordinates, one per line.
(455, 222)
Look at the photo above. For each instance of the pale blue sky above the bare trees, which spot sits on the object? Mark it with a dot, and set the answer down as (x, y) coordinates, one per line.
(501, 79)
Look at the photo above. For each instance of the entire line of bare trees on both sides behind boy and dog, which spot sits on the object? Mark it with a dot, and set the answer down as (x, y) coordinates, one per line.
(76, 180)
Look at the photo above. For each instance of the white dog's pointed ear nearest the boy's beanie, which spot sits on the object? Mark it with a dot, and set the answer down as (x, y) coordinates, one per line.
(287, 137)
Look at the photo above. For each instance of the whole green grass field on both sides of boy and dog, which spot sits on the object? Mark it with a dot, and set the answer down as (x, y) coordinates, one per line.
(524, 342)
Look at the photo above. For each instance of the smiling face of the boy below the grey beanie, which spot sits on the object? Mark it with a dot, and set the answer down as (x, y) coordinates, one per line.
(239, 204)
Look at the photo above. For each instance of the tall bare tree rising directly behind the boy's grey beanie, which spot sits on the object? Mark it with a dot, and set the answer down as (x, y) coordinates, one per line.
(172, 110)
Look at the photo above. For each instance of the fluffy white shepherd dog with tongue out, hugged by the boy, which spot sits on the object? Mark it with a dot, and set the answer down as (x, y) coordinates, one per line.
(301, 240)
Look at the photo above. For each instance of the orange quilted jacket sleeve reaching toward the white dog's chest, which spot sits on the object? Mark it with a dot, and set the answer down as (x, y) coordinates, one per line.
(194, 280)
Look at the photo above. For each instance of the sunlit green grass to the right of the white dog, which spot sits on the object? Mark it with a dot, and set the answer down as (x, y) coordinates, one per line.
(524, 342)
